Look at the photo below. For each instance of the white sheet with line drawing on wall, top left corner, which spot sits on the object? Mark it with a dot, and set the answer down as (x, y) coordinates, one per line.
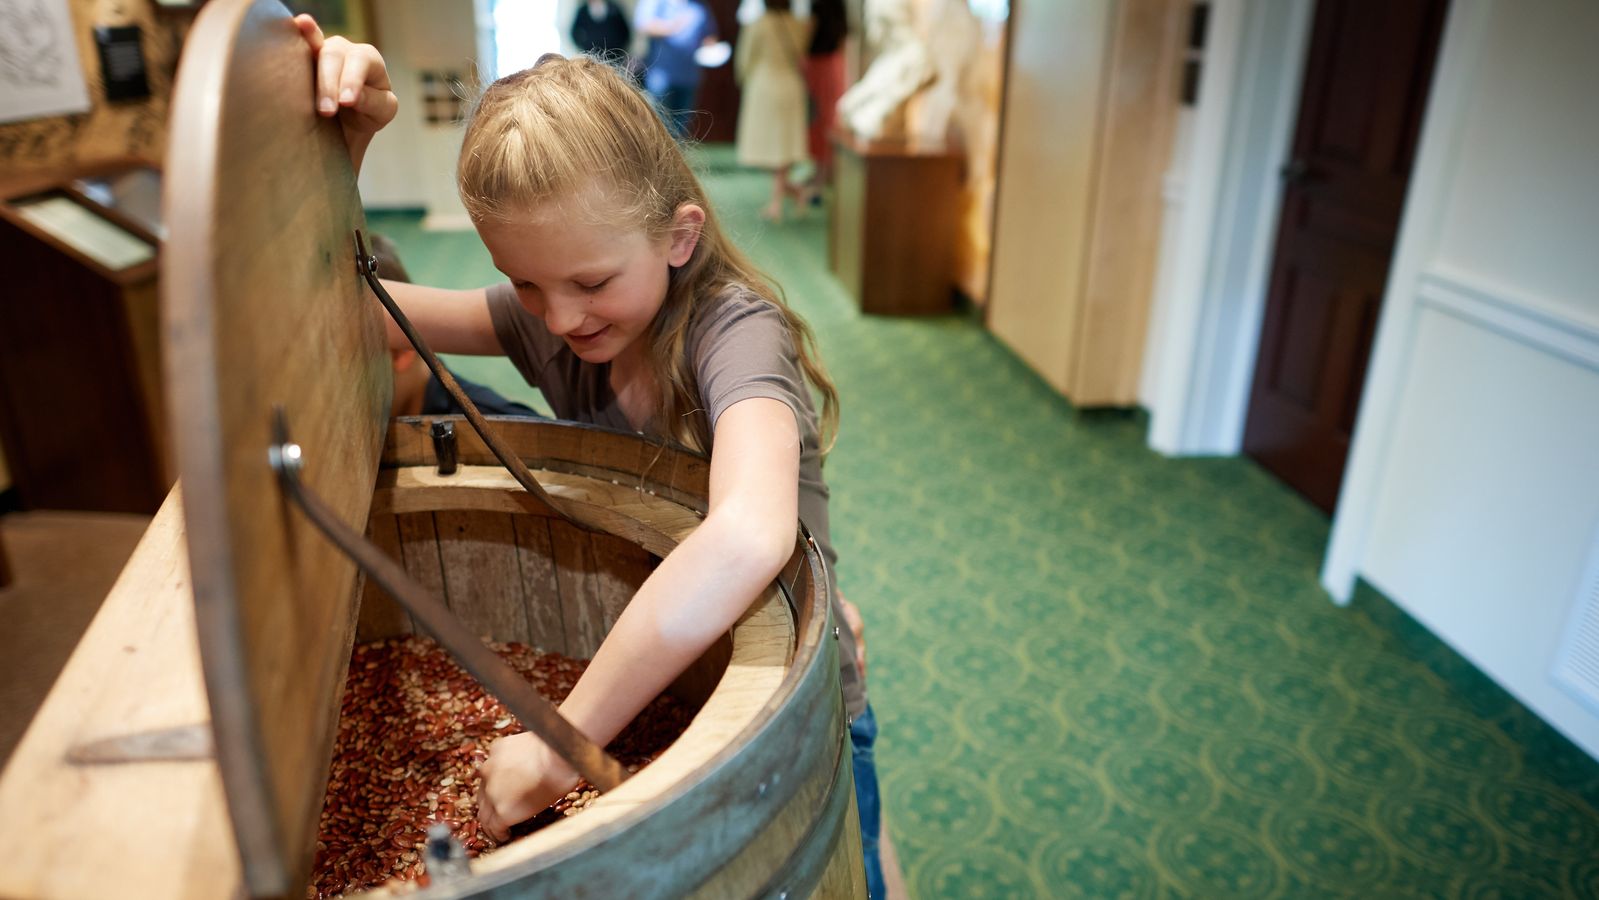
(39, 62)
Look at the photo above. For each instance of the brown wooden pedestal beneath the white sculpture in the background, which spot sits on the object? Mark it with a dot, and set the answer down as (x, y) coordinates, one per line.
(895, 220)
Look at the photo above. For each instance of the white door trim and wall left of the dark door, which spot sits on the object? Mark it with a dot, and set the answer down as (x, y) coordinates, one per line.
(1221, 225)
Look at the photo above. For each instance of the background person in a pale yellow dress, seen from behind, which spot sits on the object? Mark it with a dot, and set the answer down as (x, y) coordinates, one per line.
(770, 68)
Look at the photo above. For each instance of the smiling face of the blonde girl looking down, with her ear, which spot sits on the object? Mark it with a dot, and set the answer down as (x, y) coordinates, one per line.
(596, 287)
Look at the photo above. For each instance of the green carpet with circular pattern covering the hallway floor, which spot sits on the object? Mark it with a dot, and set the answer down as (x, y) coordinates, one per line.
(1106, 674)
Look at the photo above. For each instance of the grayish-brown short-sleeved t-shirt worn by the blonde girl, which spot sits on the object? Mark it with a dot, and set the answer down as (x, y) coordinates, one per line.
(741, 349)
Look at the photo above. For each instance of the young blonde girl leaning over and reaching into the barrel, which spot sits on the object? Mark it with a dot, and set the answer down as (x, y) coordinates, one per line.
(629, 308)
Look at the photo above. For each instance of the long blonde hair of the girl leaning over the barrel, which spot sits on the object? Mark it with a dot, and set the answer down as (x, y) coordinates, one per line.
(551, 137)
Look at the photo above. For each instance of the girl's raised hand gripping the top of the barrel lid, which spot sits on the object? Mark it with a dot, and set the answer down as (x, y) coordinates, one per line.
(353, 84)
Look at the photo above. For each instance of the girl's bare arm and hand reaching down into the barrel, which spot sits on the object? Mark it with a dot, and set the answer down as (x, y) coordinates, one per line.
(696, 595)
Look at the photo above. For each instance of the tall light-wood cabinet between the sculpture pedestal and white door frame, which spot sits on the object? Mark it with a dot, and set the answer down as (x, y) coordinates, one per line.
(1090, 113)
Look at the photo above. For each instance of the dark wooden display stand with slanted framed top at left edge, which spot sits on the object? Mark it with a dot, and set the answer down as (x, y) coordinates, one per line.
(81, 404)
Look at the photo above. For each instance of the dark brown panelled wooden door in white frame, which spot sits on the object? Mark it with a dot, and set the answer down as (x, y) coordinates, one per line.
(1366, 84)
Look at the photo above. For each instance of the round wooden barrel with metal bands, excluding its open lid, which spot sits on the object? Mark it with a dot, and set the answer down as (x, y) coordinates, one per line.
(756, 800)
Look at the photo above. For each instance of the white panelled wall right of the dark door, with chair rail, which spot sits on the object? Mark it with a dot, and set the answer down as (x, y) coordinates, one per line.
(1473, 488)
